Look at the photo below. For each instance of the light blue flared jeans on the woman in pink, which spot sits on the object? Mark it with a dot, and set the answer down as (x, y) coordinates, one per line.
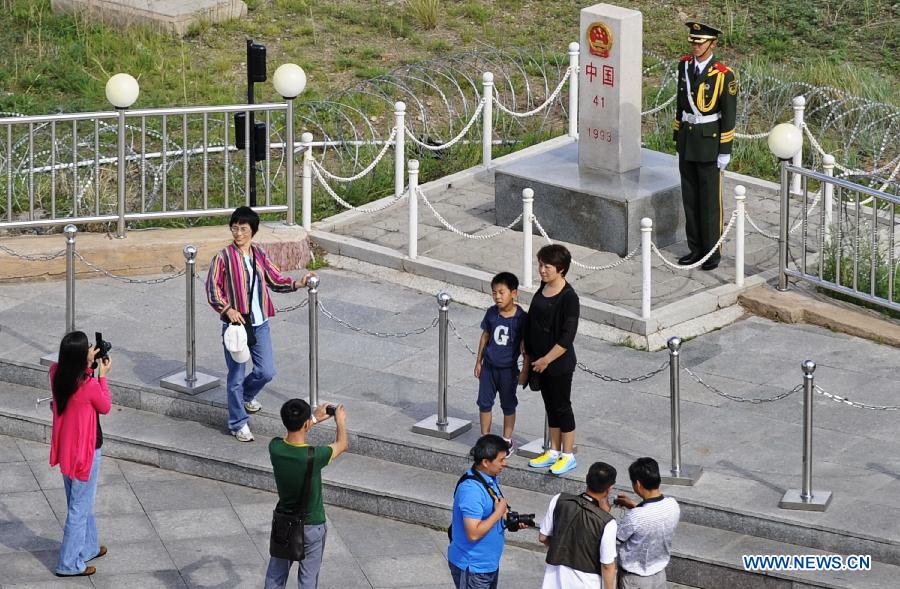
(80, 542)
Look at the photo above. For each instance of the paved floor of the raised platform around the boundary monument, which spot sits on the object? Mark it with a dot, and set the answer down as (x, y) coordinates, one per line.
(470, 208)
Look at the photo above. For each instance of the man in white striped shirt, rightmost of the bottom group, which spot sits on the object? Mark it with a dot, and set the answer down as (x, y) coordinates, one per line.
(647, 530)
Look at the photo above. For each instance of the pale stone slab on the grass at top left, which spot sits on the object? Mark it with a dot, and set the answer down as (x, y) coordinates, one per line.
(174, 16)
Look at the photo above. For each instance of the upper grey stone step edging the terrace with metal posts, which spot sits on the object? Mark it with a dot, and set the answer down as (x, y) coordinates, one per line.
(389, 437)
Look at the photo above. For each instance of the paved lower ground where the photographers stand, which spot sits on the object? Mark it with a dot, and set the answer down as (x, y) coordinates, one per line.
(169, 530)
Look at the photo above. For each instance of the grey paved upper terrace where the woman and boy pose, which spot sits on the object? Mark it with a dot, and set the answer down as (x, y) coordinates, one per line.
(751, 452)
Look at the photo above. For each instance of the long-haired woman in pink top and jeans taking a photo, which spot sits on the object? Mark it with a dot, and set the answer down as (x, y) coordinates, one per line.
(78, 401)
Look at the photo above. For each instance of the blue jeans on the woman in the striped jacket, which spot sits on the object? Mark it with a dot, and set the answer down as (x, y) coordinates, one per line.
(242, 388)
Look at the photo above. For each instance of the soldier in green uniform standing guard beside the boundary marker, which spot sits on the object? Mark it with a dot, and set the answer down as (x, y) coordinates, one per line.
(704, 133)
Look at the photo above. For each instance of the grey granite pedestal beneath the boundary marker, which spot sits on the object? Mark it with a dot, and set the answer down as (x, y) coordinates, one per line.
(596, 209)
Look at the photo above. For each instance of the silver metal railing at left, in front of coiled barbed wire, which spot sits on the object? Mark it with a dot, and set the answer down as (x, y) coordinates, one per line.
(140, 165)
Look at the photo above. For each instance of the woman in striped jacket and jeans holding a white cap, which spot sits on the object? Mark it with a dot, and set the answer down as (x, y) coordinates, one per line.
(237, 288)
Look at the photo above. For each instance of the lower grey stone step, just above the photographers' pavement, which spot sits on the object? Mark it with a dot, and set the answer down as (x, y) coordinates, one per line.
(702, 557)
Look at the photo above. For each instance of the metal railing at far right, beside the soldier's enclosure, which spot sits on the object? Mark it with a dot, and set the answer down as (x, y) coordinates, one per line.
(847, 236)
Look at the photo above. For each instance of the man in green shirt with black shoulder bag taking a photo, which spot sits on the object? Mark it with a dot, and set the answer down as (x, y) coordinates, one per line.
(289, 458)
